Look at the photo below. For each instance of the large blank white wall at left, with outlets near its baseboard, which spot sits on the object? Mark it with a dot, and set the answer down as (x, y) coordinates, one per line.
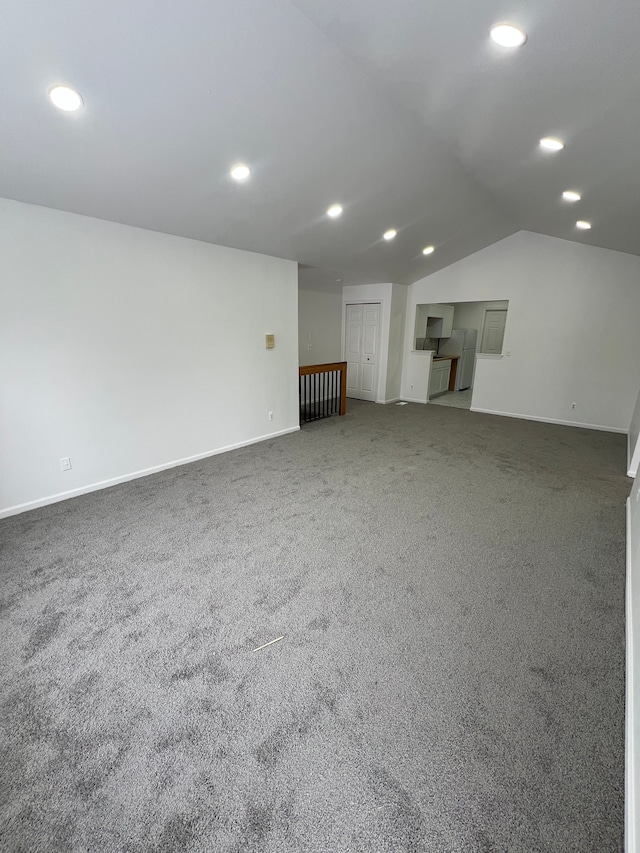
(128, 350)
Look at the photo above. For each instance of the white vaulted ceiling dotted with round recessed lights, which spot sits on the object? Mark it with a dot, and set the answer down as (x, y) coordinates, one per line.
(404, 112)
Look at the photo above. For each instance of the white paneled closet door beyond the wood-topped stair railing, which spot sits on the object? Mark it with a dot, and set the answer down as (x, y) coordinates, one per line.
(362, 337)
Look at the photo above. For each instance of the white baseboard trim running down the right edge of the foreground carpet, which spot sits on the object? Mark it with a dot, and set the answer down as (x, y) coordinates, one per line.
(630, 804)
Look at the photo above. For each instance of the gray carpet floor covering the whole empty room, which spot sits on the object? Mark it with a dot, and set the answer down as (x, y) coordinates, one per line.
(450, 589)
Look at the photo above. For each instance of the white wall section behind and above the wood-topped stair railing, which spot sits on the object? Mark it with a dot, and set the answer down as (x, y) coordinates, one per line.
(319, 326)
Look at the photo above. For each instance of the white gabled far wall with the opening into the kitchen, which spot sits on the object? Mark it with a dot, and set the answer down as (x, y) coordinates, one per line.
(574, 312)
